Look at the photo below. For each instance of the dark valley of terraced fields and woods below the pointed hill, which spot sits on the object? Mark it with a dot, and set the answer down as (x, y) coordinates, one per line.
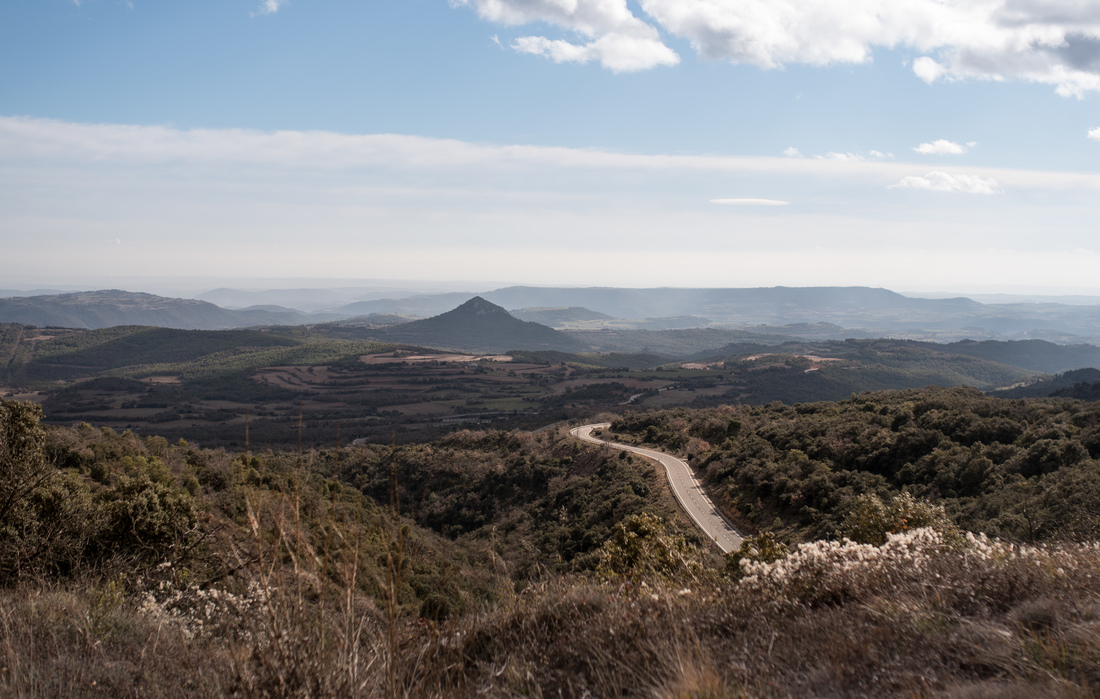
(294, 384)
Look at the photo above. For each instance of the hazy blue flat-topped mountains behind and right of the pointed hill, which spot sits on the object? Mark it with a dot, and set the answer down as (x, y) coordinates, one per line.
(867, 312)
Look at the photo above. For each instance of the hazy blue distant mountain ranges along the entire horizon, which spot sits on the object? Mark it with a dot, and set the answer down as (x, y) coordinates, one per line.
(811, 313)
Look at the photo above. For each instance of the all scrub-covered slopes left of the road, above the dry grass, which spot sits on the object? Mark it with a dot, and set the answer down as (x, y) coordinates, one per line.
(479, 508)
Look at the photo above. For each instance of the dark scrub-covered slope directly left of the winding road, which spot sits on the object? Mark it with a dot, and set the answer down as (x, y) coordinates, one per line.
(542, 503)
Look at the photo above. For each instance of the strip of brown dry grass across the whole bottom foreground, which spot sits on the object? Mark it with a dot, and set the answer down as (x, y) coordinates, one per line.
(915, 618)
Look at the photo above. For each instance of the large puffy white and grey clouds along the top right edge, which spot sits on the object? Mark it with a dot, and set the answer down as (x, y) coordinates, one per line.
(1055, 42)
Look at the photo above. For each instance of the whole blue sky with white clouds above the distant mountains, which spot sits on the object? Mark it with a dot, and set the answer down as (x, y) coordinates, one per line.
(911, 145)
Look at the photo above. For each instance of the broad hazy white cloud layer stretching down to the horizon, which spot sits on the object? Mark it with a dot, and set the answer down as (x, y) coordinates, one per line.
(398, 206)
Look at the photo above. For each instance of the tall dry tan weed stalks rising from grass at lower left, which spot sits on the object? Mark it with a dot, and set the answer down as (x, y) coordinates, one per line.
(316, 636)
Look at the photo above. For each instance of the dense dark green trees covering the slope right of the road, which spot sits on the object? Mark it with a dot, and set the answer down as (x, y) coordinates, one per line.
(1019, 469)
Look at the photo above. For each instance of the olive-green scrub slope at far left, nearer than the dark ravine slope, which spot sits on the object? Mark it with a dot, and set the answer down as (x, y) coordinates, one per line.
(87, 504)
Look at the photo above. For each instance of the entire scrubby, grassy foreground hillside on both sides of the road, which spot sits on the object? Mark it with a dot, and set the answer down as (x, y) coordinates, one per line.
(520, 564)
